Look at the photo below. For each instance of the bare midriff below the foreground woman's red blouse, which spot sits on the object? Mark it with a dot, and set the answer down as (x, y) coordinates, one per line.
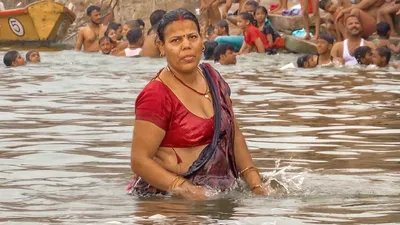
(167, 158)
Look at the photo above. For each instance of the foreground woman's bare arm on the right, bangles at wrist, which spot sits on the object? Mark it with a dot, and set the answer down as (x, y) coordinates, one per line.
(244, 164)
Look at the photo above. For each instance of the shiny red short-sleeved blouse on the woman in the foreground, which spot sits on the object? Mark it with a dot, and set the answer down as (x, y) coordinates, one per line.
(159, 105)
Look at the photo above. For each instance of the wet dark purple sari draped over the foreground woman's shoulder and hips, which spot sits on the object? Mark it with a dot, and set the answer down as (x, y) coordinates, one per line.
(215, 166)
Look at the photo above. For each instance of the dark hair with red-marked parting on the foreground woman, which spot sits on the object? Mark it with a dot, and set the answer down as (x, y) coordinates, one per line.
(175, 15)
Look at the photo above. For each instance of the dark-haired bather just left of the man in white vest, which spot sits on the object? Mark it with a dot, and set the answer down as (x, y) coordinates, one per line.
(324, 47)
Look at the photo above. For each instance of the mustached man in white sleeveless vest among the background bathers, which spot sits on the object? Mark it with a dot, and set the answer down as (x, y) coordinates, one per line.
(345, 49)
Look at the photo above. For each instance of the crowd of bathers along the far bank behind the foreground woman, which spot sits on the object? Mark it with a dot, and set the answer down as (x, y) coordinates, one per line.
(349, 24)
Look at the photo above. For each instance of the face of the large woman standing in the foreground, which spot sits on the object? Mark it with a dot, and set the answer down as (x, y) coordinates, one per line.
(182, 45)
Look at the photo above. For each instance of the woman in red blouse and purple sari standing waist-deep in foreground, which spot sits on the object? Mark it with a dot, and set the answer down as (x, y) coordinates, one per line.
(186, 138)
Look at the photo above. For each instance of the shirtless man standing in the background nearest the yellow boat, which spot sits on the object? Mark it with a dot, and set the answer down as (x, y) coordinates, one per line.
(90, 34)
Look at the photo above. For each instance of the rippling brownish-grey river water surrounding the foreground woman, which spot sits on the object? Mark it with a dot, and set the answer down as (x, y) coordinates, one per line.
(332, 135)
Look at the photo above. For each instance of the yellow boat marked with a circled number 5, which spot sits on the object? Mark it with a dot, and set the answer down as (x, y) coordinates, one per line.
(41, 23)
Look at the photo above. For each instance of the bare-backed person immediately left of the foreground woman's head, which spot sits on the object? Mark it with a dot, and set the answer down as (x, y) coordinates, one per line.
(150, 48)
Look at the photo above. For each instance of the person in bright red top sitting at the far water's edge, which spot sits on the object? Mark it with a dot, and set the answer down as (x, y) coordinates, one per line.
(253, 37)
